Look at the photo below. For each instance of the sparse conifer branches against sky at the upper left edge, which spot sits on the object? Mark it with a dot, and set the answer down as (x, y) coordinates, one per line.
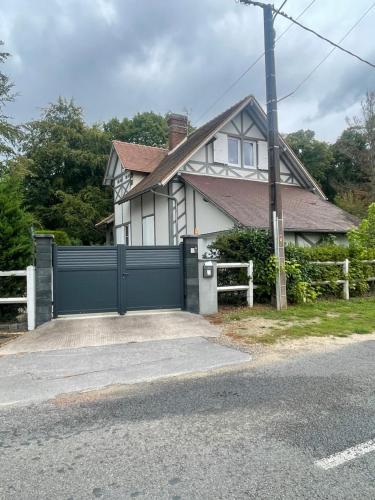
(9, 133)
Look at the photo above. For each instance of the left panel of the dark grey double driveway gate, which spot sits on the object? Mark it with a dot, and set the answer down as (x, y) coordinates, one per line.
(85, 280)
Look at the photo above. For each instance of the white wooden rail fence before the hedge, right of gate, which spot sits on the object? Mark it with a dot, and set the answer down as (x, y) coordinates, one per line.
(250, 287)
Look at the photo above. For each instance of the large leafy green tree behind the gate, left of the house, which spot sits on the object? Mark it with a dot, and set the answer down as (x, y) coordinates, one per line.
(64, 158)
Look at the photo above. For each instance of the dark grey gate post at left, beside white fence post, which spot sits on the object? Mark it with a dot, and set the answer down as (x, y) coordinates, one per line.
(43, 278)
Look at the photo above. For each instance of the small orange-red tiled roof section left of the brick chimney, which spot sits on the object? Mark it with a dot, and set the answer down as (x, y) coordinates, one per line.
(138, 157)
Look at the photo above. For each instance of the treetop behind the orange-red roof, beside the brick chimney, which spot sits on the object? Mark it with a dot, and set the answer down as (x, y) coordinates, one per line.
(144, 128)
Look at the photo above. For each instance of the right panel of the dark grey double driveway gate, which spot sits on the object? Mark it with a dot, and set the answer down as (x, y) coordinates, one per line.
(153, 278)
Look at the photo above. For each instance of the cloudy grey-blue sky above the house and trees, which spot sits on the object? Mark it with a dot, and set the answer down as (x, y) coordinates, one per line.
(120, 57)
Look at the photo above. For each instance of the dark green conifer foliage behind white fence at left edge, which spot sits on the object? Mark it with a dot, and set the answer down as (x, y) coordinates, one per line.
(15, 242)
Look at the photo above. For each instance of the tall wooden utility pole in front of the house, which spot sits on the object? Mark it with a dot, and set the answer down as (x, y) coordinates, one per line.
(274, 182)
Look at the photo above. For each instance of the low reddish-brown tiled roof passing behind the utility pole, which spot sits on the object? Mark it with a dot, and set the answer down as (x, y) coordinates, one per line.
(247, 202)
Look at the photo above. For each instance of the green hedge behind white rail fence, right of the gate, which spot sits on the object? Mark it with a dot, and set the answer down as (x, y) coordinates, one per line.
(242, 245)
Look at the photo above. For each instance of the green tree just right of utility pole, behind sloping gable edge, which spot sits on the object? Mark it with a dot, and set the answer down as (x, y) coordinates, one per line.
(315, 155)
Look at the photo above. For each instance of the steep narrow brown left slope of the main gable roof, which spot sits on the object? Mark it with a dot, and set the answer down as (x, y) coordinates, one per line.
(177, 156)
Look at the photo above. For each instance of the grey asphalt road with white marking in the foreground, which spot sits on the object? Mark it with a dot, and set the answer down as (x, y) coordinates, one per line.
(249, 433)
